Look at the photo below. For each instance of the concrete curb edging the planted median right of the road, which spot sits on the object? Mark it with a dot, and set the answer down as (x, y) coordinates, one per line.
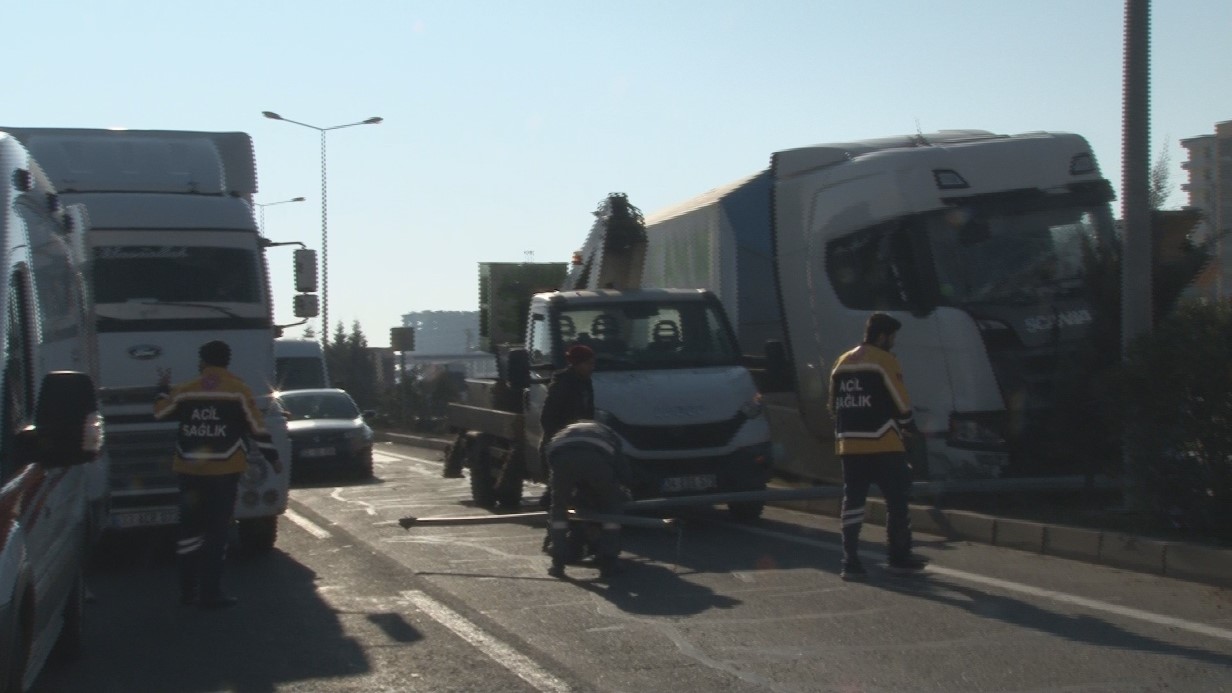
(1181, 560)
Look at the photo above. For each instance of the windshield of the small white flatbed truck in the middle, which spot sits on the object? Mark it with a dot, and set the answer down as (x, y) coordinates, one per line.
(650, 335)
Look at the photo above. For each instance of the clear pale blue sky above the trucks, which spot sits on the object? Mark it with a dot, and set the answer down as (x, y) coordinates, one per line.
(507, 123)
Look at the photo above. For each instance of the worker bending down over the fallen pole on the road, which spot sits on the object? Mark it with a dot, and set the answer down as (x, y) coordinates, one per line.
(588, 473)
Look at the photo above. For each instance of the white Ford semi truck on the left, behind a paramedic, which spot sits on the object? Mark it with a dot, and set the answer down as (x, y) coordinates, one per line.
(174, 260)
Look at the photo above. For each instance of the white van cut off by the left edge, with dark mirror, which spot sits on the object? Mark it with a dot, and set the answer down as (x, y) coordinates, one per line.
(50, 427)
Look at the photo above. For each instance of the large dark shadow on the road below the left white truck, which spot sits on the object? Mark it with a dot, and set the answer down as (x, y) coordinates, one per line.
(280, 633)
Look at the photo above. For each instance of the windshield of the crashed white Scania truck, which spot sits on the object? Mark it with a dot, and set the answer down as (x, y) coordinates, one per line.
(1013, 257)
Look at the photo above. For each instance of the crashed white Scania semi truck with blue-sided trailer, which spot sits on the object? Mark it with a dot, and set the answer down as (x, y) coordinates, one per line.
(974, 241)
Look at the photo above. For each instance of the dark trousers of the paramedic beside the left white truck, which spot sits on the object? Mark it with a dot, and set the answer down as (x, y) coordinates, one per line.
(208, 505)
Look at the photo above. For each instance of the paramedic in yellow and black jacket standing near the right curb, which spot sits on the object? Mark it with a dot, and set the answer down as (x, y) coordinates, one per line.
(873, 414)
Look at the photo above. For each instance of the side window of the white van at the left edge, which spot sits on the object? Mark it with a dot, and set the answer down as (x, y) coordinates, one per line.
(17, 387)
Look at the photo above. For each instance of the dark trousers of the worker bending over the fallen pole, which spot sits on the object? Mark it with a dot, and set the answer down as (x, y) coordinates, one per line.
(590, 473)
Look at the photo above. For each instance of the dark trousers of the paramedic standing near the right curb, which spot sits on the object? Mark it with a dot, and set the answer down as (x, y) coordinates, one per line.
(893, 475)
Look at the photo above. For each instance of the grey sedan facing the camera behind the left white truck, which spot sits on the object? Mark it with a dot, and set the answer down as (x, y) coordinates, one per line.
(328, 433)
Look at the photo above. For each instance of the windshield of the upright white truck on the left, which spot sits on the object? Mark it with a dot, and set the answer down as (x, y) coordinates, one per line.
(176, 274)
